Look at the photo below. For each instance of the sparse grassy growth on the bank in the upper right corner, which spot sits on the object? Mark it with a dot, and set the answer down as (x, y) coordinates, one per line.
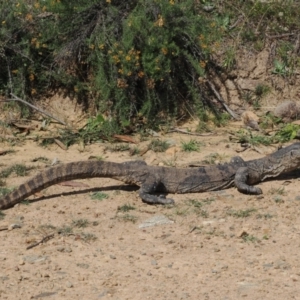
(281, 18)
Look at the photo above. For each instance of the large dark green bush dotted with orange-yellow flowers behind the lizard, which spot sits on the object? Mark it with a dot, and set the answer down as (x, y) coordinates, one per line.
(133, 60)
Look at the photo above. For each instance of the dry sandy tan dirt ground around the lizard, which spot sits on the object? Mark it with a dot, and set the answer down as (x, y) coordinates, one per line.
(220, 245)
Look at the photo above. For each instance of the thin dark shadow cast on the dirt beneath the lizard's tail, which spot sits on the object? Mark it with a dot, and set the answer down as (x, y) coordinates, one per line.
(86, 191)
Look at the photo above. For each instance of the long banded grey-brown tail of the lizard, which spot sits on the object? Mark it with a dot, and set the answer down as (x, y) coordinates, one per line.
(60, 173)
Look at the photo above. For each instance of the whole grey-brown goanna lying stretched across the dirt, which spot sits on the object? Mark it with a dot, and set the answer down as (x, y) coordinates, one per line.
(155, 179)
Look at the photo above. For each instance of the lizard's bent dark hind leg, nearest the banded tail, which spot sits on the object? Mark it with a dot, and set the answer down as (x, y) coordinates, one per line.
(149, 187)
